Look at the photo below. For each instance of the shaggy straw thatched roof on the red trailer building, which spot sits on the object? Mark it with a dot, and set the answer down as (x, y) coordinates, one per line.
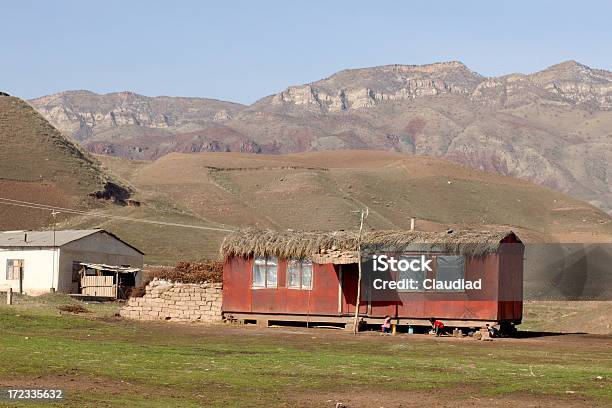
(342, 245)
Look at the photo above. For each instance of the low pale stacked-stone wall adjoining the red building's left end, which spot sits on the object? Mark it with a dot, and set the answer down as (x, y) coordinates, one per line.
(177, 301)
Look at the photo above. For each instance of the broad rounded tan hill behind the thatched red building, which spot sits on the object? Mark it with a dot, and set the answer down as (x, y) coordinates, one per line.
(322, 190)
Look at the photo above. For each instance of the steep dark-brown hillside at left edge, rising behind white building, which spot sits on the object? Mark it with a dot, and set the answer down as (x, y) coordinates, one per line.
(38, 164)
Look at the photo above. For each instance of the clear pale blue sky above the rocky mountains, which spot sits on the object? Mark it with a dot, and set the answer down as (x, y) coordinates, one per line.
(244, 50)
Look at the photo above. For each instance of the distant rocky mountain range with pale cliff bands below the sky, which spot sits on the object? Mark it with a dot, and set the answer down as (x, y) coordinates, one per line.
(553, 127)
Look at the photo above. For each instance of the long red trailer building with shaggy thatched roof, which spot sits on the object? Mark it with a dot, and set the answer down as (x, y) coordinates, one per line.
(272, 276)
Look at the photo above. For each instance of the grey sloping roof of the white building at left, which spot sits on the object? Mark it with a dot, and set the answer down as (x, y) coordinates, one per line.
(17, 239)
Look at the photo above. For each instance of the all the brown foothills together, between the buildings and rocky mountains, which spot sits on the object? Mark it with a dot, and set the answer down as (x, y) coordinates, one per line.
(150, 202)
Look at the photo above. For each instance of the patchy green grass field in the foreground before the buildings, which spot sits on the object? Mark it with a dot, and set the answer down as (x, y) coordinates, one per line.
(101, 360)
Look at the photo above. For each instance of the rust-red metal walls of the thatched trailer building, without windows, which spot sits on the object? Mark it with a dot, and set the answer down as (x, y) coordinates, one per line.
(499, 299)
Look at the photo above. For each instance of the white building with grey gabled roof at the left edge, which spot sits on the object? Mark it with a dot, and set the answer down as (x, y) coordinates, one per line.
(37, 262)
